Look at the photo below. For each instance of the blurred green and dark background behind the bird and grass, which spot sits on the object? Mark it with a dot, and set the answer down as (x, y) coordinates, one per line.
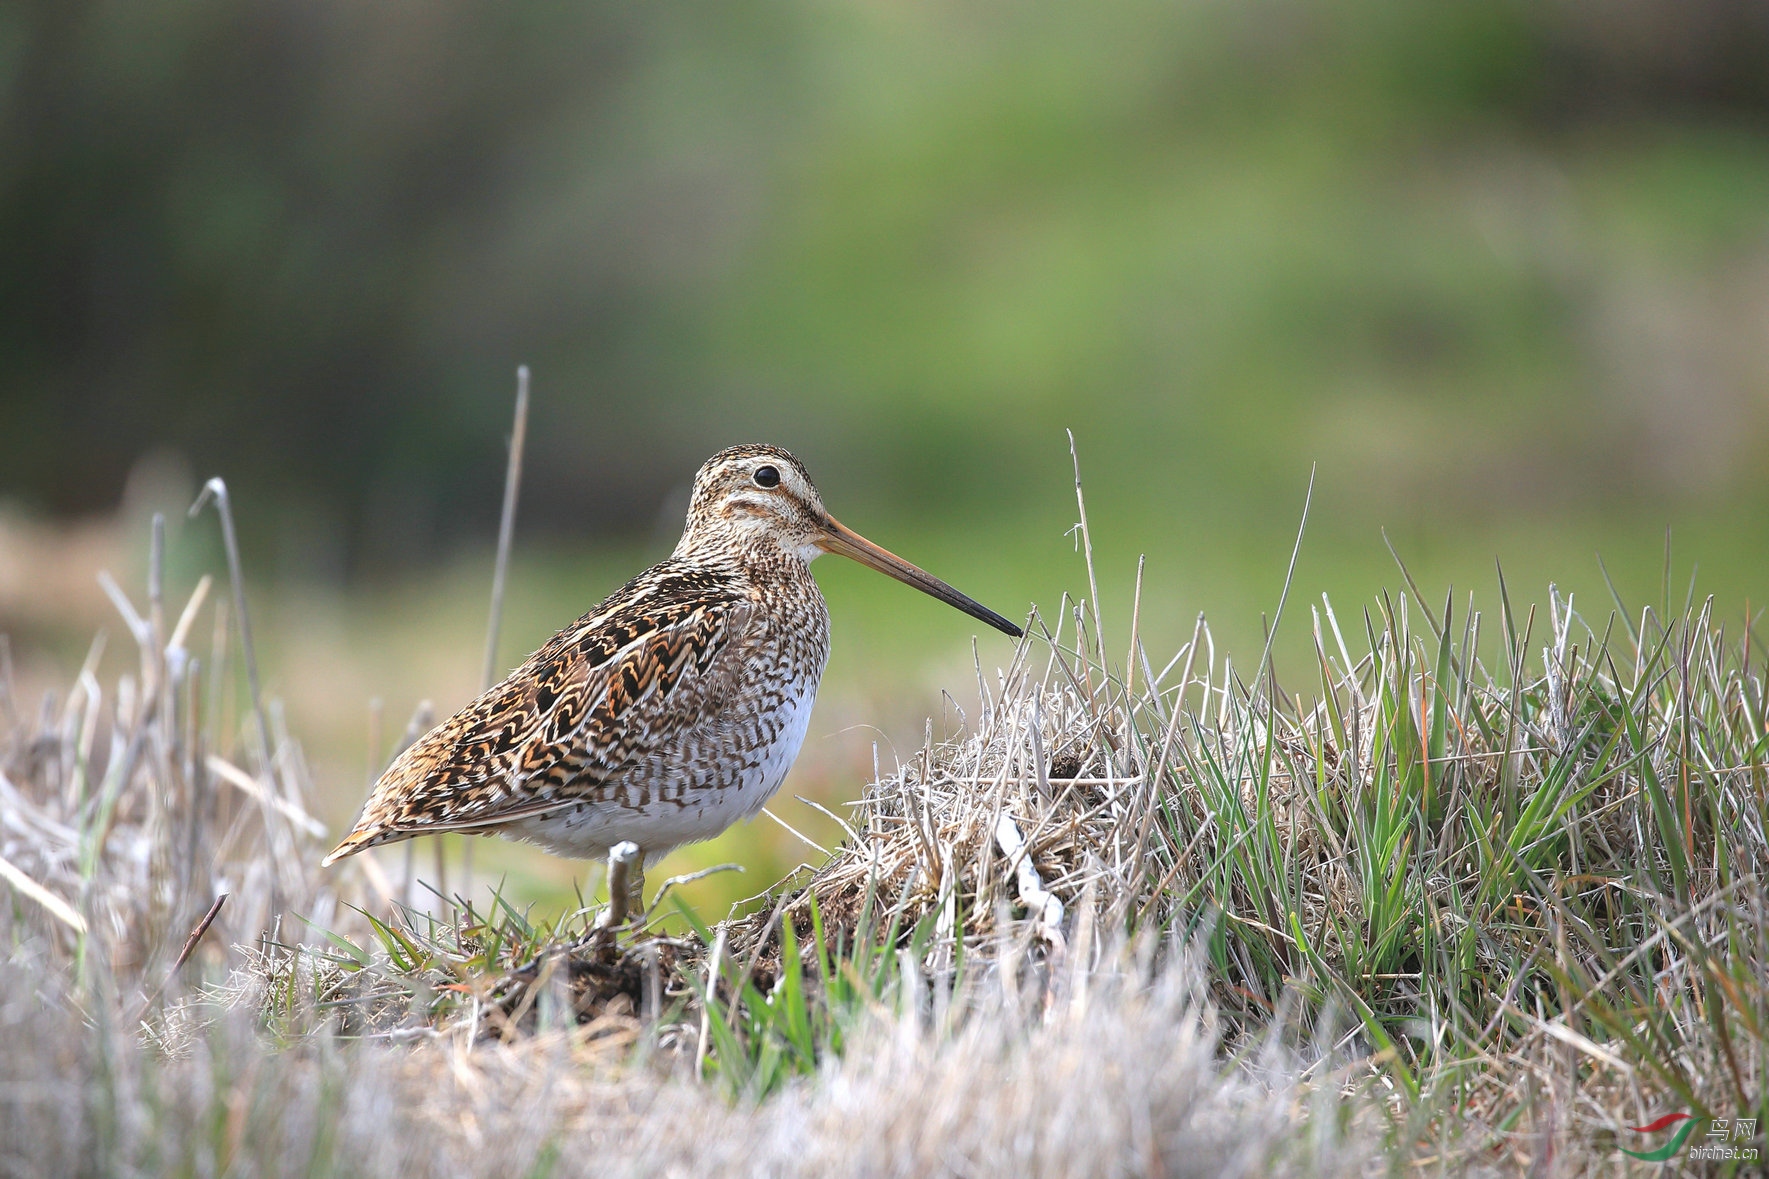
(1499, 270)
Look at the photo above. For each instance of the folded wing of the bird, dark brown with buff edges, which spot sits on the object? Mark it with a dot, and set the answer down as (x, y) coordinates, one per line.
(588, 704)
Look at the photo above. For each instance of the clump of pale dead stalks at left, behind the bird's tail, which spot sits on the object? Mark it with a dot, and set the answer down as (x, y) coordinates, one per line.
(137, 813)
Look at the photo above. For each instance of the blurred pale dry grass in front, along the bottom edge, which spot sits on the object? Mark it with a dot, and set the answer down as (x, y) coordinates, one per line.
(1121, 1083)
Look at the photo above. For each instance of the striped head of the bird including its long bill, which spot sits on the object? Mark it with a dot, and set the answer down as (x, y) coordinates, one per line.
(762, 498)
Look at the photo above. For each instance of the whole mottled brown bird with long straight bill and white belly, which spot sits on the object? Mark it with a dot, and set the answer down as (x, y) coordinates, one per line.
(668, 713)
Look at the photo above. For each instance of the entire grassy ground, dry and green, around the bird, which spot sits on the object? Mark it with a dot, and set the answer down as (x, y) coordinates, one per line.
(1131, 921)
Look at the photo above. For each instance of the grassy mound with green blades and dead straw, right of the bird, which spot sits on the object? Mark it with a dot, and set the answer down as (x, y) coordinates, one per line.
(1531, 886)
